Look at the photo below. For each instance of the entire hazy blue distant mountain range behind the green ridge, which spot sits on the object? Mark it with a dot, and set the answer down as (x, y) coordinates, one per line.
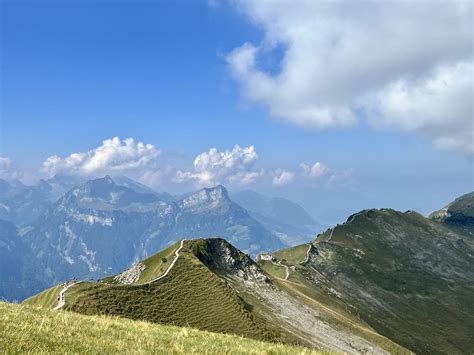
(68, 227)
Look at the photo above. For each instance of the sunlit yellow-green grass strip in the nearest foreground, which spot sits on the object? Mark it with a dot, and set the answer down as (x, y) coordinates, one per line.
(29, 329)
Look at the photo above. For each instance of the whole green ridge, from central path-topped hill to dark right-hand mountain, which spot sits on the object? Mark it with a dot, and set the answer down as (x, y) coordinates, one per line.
(382, 282)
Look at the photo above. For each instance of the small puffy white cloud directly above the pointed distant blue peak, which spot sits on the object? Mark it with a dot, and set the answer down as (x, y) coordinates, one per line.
(234, 166)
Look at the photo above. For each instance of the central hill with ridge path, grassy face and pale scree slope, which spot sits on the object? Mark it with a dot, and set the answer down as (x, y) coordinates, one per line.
(213, 286)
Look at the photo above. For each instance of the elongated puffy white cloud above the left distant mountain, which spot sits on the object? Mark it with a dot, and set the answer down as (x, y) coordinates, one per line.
(112, 157)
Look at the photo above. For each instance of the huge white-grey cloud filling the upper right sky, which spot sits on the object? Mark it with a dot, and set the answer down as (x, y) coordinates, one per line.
(408, 63)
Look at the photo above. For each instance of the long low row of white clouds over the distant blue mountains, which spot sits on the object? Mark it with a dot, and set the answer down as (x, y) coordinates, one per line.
(236, 167)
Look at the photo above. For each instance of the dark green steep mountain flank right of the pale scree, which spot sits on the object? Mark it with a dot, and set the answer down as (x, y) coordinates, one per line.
(409, 278)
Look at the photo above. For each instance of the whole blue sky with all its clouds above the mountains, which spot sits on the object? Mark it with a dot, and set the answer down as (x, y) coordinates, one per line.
(338, 106)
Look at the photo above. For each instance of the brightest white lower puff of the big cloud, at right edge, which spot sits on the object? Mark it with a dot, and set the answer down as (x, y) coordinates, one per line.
(439, 105)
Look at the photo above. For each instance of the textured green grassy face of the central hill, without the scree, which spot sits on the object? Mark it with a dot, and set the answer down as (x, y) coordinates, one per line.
(190, 295)
